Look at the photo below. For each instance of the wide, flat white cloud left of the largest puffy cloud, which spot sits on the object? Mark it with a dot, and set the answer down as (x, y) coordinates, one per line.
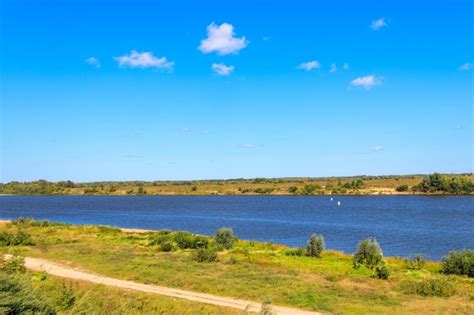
(144, 59)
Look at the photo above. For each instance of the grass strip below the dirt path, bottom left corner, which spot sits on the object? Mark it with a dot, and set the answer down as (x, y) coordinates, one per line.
(63, 296)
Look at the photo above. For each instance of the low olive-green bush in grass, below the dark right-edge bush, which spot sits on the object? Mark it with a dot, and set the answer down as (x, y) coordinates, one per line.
(430, 287)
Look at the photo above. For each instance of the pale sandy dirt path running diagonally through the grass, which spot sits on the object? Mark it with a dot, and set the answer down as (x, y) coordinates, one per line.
(55, 269)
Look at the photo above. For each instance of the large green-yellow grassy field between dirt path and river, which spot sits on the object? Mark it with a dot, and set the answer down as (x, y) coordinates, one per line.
(254, 271)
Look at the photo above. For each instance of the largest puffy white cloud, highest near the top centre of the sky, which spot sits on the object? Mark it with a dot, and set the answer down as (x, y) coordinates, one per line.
(221, 39)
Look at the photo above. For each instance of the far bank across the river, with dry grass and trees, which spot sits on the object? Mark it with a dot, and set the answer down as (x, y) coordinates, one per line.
(357, 185)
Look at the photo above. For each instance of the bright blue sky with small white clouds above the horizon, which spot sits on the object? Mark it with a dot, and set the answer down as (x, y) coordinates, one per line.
(122, 90)
